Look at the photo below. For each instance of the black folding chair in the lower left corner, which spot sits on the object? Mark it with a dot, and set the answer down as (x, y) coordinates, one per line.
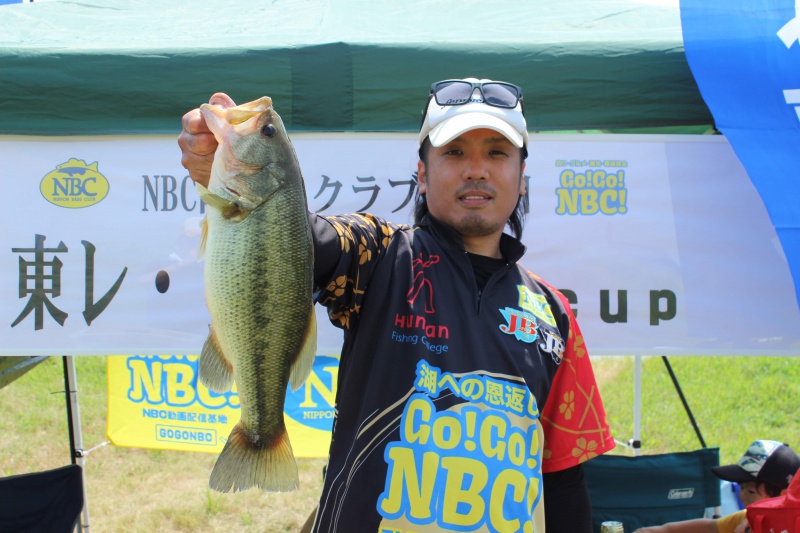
(42, 502)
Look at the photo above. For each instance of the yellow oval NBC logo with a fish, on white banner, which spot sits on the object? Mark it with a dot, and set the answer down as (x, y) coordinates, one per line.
(74, 184)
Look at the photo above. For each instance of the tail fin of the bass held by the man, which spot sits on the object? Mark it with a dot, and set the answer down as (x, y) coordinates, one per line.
(244, 464)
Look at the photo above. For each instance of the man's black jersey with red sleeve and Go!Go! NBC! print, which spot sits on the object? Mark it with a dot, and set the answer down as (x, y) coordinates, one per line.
(452, 401)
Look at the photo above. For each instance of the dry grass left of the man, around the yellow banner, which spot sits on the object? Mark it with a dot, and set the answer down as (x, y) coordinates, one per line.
(131, 489)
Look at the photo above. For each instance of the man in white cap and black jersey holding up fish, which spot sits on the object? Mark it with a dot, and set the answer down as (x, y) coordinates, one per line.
(466, 399)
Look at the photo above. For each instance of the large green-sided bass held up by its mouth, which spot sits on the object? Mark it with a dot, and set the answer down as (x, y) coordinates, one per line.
(258, 281)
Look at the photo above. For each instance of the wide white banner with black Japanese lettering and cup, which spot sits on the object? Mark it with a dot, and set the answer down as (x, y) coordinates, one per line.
(661, 242)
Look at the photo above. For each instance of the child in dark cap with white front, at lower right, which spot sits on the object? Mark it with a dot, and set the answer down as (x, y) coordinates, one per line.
(764, 471)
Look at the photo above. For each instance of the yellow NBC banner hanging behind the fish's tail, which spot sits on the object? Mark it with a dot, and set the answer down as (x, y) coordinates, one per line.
(158, 402)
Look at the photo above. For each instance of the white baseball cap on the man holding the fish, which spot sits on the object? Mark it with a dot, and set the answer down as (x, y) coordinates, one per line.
(443, 123)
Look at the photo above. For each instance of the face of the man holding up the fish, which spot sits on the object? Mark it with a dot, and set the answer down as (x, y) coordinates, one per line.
(473, 183)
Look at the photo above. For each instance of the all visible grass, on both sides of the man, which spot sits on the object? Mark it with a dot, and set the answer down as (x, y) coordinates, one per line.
(734, 399)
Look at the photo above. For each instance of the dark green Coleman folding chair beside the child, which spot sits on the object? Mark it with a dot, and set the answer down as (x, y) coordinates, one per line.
(652, 489)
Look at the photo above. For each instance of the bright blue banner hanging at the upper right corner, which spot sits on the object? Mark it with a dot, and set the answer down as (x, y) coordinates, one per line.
(745, 57)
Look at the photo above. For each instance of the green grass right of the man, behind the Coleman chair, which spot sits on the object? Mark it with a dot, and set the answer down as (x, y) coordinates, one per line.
(734, 400)
